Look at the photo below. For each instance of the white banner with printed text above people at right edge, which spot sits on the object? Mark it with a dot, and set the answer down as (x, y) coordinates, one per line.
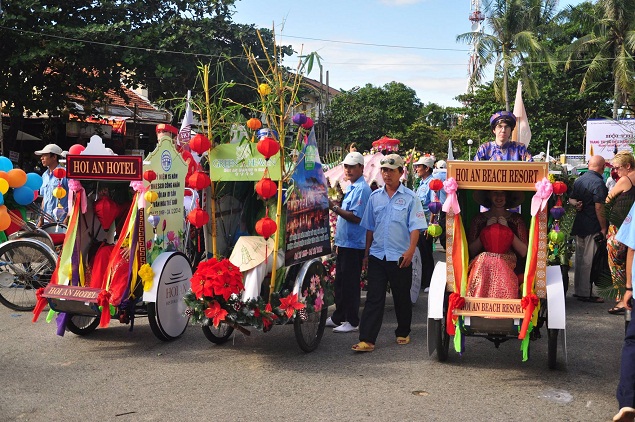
(604, 136)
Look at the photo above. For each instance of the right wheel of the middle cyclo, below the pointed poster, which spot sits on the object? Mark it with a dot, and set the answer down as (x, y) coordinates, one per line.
(309, 326)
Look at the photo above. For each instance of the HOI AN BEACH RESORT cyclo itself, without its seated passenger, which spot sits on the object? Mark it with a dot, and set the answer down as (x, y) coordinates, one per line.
(452, 311)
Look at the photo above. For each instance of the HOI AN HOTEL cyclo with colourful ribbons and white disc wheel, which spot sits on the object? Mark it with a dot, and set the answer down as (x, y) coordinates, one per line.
(123, 251)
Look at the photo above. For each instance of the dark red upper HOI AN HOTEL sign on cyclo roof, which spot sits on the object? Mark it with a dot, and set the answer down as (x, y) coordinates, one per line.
(104, 167)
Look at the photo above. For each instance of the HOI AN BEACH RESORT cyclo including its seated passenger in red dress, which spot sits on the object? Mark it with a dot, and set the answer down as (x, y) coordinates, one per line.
(470, 293)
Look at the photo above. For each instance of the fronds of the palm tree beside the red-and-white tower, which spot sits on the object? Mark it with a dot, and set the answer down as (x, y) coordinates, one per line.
(516, 27)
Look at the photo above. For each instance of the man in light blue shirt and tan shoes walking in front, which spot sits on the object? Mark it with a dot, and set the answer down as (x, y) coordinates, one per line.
(392, 219)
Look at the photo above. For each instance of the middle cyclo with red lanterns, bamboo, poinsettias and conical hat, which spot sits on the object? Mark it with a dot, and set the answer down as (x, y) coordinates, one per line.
(270, 226)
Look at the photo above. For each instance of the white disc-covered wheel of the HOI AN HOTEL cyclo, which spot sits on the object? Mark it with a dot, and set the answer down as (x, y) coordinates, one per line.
(166, 307)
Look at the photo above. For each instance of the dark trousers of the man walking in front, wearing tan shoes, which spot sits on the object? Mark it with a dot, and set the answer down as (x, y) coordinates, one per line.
(380, 273)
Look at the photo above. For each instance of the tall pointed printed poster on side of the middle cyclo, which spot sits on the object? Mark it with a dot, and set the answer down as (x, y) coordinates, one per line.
(308, 232)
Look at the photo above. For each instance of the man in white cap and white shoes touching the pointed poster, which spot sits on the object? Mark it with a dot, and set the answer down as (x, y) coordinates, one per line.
(350, 241)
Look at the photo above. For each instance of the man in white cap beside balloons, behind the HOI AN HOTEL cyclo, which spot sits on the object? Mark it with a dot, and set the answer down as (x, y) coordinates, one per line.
(50, 156)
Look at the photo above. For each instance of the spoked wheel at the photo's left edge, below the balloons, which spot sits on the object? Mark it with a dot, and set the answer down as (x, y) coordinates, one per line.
(25, 266)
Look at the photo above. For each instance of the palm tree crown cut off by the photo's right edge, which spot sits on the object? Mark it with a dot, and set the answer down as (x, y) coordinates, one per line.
(611, 45)
